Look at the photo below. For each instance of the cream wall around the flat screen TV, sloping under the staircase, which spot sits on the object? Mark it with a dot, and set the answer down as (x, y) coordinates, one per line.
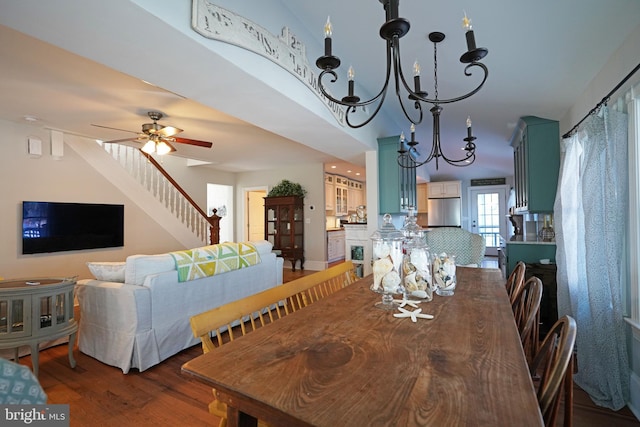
(69, 179)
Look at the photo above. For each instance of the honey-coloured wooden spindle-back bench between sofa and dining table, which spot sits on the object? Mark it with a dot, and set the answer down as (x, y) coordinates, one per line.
(236, 319)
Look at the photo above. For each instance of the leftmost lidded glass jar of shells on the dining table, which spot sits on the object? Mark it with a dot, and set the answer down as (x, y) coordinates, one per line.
(387, 258)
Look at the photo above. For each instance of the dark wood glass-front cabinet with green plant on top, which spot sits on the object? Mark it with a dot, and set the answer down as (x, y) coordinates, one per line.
(284, 227)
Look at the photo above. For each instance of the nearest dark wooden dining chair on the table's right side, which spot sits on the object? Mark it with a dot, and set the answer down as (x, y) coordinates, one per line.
(552, 371)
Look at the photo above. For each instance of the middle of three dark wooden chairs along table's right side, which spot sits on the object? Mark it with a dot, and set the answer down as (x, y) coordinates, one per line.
(526, 311)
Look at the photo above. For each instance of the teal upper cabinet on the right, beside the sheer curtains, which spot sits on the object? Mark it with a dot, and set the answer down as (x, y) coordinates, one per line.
(536, 153)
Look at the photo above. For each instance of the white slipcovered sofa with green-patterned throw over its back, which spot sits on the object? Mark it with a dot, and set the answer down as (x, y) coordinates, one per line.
(143, 321)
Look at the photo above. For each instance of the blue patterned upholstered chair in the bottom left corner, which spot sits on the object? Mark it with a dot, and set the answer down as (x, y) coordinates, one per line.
(18, 385)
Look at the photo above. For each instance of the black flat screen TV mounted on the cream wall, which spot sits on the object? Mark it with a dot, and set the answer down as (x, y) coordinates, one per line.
(56, 227)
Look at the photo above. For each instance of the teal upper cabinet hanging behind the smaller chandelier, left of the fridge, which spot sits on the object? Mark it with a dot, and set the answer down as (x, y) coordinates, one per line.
(397, 185)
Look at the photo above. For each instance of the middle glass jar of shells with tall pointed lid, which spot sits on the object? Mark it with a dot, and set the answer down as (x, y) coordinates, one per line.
(416, 263)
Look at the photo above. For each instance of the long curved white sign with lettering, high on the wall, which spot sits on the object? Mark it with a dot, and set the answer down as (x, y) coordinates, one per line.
(285, 50)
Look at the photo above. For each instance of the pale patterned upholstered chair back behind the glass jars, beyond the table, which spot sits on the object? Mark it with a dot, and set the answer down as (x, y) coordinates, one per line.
(468, 247)
